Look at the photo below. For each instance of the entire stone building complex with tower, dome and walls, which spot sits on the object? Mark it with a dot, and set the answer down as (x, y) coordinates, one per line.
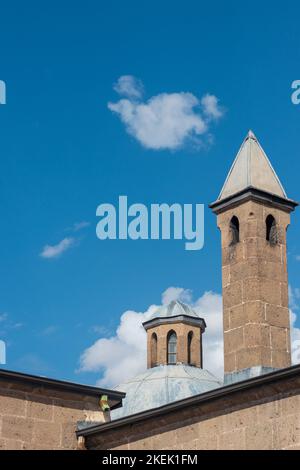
(176, 404)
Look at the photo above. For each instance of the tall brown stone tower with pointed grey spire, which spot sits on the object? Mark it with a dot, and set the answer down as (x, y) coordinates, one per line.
(253, 213)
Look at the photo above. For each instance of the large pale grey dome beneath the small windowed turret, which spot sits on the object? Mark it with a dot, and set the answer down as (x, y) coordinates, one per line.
(161, 385)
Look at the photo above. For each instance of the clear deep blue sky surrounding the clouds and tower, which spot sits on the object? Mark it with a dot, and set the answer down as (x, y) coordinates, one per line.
(63, 152)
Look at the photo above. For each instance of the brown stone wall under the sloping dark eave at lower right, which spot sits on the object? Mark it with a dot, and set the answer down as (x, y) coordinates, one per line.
(267, 417)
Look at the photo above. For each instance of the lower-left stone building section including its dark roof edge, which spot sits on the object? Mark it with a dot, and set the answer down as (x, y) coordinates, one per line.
(39, 413)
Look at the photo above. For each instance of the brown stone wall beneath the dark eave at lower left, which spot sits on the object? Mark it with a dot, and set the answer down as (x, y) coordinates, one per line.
(33, 417)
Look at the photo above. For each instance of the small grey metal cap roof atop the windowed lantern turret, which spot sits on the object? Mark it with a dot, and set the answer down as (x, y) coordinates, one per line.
(174, 309)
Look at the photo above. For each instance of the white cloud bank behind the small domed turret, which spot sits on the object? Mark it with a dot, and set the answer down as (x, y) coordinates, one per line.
(124, 355)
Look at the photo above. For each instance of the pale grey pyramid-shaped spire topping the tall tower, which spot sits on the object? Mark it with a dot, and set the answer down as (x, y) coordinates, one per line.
(251, 169)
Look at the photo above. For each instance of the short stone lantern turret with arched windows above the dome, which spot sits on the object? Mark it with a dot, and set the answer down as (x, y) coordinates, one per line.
(174, 336)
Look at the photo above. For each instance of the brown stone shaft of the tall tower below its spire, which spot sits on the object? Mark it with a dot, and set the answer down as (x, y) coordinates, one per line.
(255, 290)
